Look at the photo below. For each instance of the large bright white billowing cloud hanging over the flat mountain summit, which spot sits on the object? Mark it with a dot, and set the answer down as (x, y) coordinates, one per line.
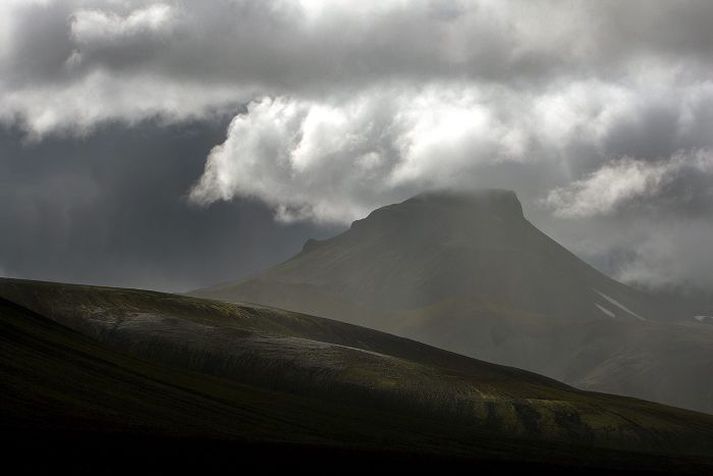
(336, 158)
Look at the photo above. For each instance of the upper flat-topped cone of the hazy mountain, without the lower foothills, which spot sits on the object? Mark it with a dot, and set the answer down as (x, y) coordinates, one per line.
(435, 247)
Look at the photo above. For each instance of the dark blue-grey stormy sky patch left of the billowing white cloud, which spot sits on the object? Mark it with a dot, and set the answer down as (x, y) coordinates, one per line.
(112, 209)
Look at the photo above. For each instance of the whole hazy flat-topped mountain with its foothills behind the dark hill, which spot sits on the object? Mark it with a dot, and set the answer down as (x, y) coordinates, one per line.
(467, 272)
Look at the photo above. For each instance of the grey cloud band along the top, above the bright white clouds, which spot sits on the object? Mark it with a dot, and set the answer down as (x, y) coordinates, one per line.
(300, 45)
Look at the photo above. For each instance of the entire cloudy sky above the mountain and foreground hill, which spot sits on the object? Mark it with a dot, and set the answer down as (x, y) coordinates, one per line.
(176, 144)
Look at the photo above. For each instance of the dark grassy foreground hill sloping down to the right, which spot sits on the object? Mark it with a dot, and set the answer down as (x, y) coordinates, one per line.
(127, 380)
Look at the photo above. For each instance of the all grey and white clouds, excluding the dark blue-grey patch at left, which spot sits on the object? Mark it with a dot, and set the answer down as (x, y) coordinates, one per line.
(595, 112)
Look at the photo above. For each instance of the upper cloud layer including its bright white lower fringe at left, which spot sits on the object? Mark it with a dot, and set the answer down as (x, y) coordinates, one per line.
(301, 49)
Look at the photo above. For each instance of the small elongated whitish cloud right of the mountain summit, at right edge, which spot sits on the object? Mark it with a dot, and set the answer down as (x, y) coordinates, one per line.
(620, 182)
